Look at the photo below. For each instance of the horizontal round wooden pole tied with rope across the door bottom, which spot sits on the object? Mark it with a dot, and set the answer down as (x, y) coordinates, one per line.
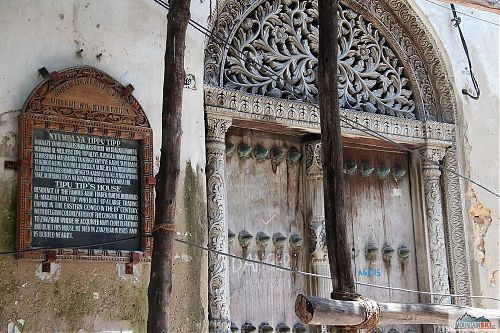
(319, 311)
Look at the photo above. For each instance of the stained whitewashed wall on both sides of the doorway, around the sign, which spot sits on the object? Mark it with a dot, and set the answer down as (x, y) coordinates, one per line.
(130, 34)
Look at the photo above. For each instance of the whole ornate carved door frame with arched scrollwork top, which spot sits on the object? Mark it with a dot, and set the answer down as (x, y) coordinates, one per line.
(424, 119)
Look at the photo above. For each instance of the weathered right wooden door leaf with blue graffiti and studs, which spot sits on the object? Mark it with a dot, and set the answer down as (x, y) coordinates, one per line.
(379, 206)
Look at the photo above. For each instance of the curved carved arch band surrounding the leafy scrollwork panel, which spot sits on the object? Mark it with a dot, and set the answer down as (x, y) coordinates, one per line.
(401, 26)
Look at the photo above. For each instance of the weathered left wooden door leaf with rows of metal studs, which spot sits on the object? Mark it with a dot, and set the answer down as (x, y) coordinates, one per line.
(265, 216)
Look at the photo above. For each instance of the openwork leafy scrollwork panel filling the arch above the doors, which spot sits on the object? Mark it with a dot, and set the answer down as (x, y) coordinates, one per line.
(279, 41)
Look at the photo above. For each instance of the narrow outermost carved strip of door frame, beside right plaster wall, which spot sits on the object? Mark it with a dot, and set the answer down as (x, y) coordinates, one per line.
(457, 243)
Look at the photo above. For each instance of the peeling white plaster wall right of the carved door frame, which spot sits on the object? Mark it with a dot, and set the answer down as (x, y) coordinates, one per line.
(478, 132)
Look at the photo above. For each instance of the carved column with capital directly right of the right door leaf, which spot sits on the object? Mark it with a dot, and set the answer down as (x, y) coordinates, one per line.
(435, 222)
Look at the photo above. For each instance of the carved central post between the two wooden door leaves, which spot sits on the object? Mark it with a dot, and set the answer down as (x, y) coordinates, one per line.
(316, 222)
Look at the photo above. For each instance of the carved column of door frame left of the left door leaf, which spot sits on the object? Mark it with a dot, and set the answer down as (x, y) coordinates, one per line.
(218, 265)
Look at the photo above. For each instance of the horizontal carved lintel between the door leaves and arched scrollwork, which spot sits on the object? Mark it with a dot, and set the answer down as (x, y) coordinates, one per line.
(305, 116)
